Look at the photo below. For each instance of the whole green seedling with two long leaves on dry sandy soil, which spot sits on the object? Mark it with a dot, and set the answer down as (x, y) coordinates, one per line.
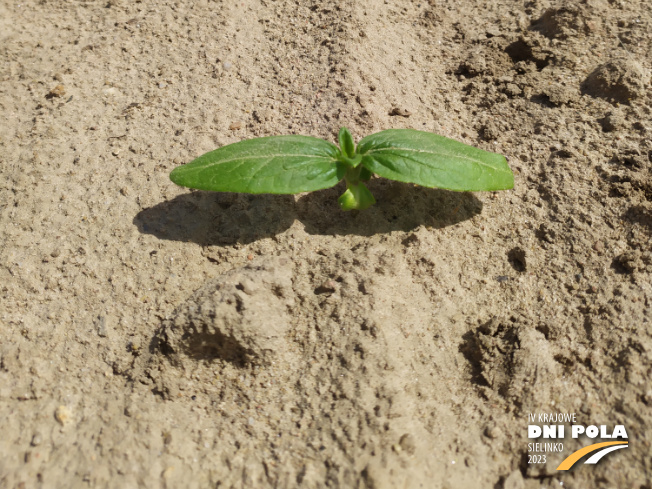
(294, 164)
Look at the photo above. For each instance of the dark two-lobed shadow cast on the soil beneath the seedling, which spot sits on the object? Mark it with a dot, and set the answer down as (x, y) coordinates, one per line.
(214, 218)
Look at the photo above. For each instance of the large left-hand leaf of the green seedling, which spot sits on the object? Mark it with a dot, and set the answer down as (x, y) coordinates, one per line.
(274, 165)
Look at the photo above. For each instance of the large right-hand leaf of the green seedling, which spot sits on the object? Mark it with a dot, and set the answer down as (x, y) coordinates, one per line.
(431, 160)
